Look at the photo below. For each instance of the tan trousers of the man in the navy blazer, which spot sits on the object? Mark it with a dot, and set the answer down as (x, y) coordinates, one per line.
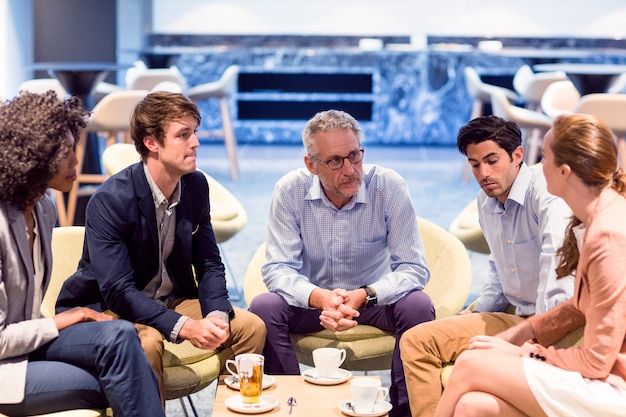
(247, 335)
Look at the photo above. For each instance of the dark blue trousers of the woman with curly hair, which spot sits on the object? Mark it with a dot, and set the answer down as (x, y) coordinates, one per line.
(90, 365)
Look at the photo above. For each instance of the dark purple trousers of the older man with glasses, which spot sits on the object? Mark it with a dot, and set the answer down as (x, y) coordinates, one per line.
(281, 319)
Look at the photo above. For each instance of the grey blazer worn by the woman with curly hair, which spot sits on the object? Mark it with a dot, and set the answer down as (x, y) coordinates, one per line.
(20, 332)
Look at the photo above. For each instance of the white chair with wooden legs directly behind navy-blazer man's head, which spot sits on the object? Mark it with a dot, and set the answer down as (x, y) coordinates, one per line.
(112, 116)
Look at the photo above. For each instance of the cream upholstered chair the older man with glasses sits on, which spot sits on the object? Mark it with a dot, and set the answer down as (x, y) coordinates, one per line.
(369, 348)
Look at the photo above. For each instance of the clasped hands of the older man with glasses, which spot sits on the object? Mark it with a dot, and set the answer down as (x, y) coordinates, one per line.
(339, 307)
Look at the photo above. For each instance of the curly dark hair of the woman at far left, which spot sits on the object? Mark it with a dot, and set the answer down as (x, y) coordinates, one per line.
(33, 129)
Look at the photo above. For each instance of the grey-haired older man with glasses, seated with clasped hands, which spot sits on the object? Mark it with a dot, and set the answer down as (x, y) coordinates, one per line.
(343, 249)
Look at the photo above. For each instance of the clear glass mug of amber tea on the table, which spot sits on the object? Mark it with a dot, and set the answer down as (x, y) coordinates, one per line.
(249, 370)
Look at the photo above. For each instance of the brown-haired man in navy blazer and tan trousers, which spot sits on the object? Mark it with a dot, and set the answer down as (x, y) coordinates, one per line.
(150, 255)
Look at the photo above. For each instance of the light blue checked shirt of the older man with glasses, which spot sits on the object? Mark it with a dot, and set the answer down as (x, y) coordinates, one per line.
(373, 240)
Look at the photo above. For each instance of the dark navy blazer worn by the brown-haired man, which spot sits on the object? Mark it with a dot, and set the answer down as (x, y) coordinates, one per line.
(121, 252)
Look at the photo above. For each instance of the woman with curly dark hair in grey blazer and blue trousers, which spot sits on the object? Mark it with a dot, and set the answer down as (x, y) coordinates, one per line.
(79, 358)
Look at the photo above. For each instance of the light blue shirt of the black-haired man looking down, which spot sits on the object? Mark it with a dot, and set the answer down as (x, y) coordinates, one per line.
(523, 236)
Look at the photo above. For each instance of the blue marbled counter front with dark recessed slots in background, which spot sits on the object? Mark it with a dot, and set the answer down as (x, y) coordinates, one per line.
(418, 97)
